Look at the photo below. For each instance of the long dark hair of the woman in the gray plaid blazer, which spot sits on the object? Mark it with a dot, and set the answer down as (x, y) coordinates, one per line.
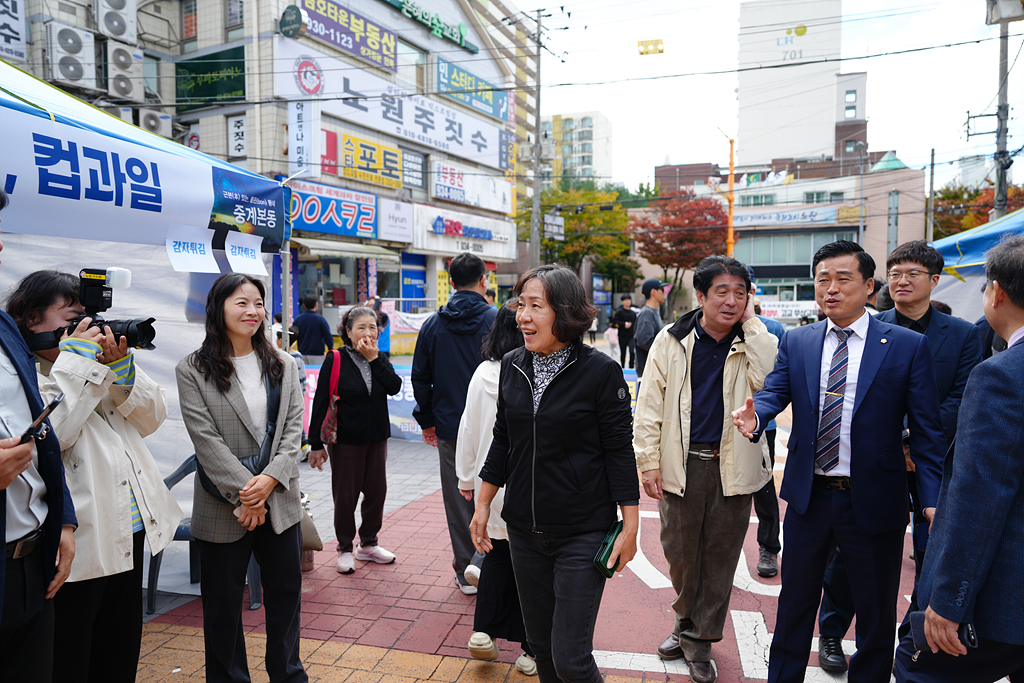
(214, 360)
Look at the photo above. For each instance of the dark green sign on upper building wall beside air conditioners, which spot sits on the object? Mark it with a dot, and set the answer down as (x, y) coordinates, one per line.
(214, 79)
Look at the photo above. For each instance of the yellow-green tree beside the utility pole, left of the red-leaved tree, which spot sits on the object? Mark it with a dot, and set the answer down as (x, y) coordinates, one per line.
(595, 226)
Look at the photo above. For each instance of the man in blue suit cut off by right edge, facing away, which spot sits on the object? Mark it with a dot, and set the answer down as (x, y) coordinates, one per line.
(973, 573)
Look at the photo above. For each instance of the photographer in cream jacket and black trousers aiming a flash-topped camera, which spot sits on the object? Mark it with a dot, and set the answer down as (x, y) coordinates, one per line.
(110, 406)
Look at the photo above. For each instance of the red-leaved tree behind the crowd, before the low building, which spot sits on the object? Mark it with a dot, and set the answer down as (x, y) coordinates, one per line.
(677, 233)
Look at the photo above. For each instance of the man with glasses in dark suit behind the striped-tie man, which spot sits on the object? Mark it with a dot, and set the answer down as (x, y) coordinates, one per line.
(913, 272)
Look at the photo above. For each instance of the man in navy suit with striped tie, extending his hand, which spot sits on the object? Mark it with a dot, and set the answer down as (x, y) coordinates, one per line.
(851, 380)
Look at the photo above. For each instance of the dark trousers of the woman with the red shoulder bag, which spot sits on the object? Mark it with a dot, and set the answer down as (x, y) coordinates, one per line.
(357, 469)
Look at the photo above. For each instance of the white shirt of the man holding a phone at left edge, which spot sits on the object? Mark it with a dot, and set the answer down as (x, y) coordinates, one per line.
(26, 505)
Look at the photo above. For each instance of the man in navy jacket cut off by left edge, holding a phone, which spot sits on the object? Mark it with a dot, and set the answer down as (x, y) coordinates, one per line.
(37, 516)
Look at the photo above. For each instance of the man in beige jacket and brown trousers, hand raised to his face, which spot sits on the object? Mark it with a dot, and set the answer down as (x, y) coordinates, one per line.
(699, 371)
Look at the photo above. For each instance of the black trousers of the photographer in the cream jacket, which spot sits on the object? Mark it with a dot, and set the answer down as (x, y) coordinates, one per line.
(99, 628)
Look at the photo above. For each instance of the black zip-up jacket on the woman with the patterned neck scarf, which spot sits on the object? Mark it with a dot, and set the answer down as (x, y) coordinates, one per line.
(566, 468)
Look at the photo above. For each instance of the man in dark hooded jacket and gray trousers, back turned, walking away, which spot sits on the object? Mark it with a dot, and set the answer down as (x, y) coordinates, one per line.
(448, 353)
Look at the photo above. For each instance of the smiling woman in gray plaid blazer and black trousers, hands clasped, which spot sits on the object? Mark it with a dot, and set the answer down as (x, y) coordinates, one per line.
(224, 396)
